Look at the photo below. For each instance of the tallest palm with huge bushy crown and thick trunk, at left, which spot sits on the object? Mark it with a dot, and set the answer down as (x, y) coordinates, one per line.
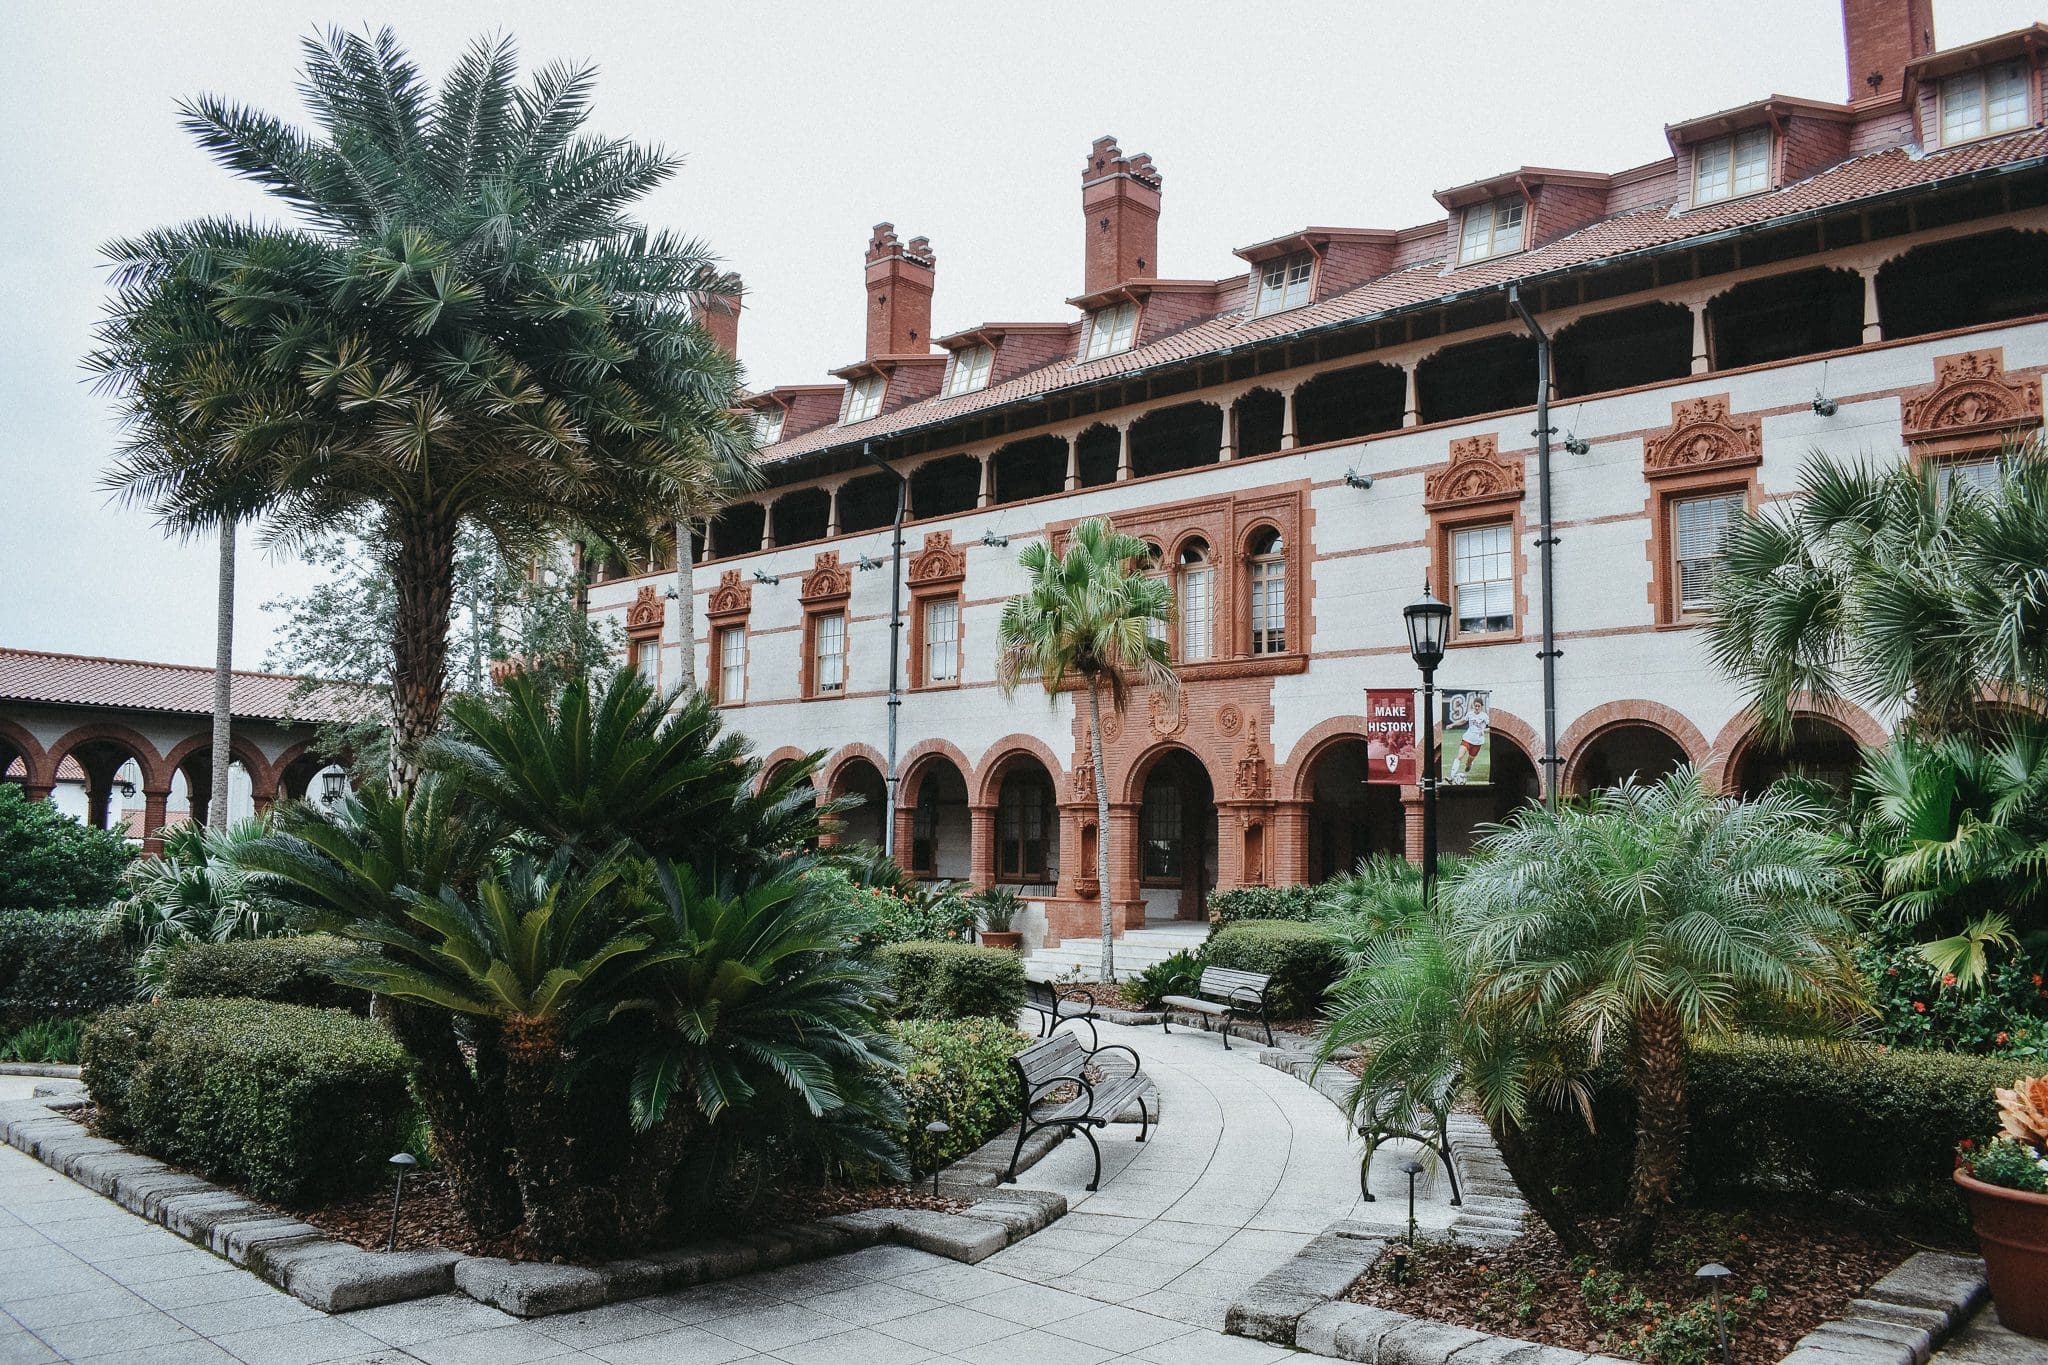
(462, 328)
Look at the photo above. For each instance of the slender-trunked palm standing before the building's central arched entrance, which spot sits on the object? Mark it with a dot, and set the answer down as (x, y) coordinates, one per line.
(1091, 613)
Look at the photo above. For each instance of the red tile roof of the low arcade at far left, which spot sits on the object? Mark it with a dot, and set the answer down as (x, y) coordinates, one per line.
(179, 689)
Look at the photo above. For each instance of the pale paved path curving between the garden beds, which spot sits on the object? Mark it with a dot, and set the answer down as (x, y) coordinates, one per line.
(1248, 1165)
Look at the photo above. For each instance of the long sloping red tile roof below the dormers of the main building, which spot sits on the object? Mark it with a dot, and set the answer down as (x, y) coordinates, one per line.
(1859, 179)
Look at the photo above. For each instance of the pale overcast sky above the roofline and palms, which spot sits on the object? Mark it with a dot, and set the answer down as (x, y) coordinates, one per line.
(804, 126)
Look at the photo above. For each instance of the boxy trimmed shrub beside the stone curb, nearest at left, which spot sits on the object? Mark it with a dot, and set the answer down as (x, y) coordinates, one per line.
(300, 1106)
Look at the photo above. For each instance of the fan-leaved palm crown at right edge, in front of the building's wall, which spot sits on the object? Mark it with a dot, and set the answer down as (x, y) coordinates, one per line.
(1893, 588)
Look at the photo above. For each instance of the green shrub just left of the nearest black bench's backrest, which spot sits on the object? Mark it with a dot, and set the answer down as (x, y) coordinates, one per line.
(957, 1071)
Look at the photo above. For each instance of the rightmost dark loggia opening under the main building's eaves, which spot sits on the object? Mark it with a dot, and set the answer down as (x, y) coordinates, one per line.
(1963, 283)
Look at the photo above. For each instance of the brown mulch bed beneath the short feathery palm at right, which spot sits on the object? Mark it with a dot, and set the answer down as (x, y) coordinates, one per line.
(1809, 1264)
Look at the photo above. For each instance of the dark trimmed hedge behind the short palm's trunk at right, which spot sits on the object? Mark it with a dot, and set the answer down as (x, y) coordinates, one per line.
(1779, 1116)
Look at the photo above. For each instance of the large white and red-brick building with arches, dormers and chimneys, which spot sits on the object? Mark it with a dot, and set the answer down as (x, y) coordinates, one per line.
(1312, 439)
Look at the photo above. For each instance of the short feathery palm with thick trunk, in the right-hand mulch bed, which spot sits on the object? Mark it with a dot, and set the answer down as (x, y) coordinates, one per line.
(1646, 920)
